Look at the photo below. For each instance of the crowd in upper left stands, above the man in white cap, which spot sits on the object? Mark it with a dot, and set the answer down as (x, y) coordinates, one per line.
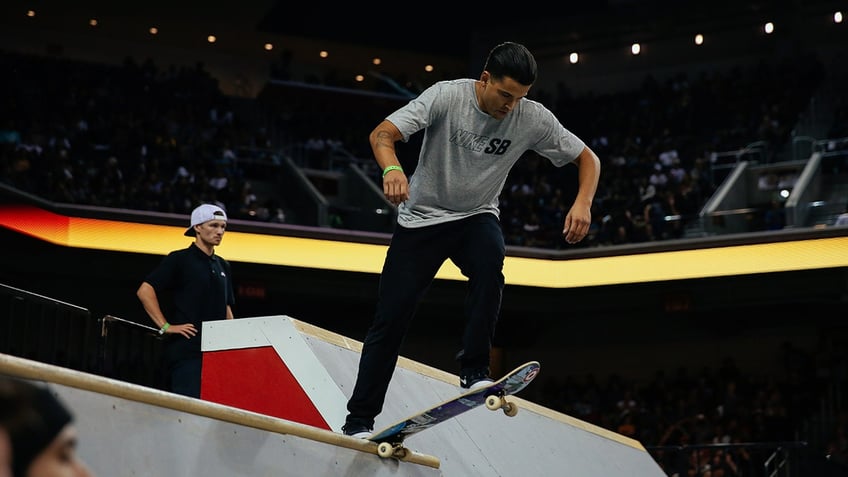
(131, 136)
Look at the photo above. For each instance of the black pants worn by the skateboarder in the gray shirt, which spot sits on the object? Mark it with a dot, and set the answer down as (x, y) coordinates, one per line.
(476, 246)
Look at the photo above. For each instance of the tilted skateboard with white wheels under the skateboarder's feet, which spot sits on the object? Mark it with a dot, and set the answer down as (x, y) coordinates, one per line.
(493, 396)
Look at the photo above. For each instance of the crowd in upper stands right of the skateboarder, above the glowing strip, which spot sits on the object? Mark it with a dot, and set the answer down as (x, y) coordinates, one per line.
(656, 144)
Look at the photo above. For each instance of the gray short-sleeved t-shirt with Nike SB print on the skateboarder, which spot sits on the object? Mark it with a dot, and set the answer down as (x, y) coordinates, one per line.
(466, 154)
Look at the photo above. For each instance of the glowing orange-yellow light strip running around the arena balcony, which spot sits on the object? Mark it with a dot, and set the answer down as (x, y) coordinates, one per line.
(368, 258)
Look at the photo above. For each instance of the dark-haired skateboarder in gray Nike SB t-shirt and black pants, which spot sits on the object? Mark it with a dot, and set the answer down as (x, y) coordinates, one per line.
(474, 132)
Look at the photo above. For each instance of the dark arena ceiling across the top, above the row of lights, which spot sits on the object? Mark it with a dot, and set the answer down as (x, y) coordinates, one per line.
(443, 28)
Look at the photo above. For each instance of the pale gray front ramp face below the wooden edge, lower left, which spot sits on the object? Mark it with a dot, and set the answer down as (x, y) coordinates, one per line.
(120, 437)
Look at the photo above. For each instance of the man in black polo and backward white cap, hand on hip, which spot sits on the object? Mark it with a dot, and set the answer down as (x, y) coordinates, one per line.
(201, 287)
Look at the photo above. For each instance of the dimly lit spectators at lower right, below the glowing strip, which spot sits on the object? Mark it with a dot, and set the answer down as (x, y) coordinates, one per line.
(678, 414)
